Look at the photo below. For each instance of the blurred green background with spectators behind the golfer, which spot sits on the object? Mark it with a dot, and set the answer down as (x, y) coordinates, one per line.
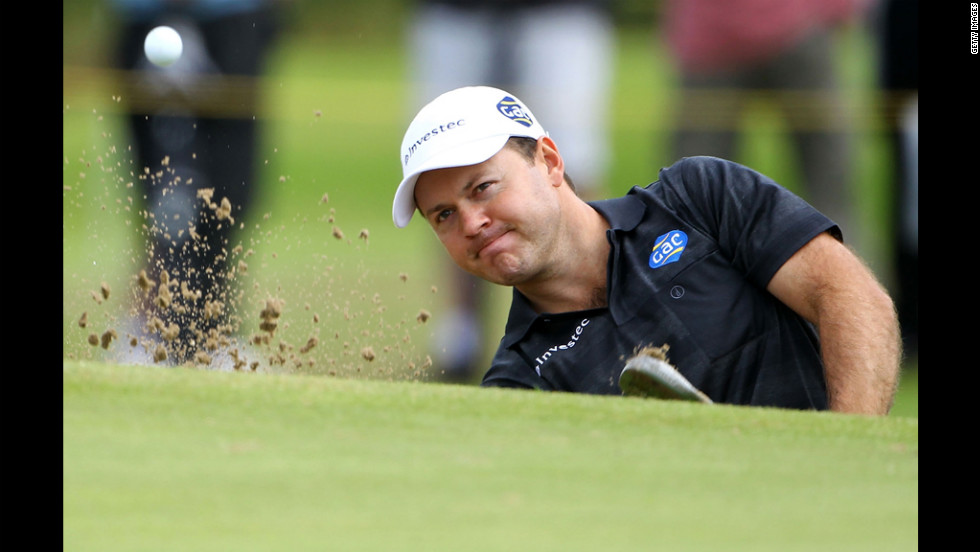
(316, 111)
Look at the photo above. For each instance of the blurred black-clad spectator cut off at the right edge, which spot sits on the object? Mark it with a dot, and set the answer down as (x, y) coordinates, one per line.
(897, 26)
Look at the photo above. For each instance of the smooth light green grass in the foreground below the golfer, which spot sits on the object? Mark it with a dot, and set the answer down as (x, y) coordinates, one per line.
(181, 459)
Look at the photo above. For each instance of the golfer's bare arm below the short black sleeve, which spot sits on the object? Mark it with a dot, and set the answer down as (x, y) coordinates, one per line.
(859, 337)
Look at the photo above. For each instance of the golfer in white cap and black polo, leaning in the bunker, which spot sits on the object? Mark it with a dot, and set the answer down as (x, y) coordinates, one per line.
(748, 286)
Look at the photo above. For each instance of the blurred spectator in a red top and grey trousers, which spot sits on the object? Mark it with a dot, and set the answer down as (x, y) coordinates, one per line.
(731, 54)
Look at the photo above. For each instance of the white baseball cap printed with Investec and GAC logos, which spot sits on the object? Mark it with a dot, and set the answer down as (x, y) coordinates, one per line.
(462, 127)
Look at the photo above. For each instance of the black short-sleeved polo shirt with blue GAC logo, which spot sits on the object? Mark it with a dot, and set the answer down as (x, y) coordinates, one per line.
(691, 256)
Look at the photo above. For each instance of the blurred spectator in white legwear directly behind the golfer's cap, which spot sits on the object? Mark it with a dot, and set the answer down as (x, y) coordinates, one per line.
(555, 54)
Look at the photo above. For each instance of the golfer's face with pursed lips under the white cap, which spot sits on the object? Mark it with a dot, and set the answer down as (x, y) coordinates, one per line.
(498, 219)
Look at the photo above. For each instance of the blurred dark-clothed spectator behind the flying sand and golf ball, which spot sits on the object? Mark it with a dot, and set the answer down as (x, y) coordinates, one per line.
(194, 127)
